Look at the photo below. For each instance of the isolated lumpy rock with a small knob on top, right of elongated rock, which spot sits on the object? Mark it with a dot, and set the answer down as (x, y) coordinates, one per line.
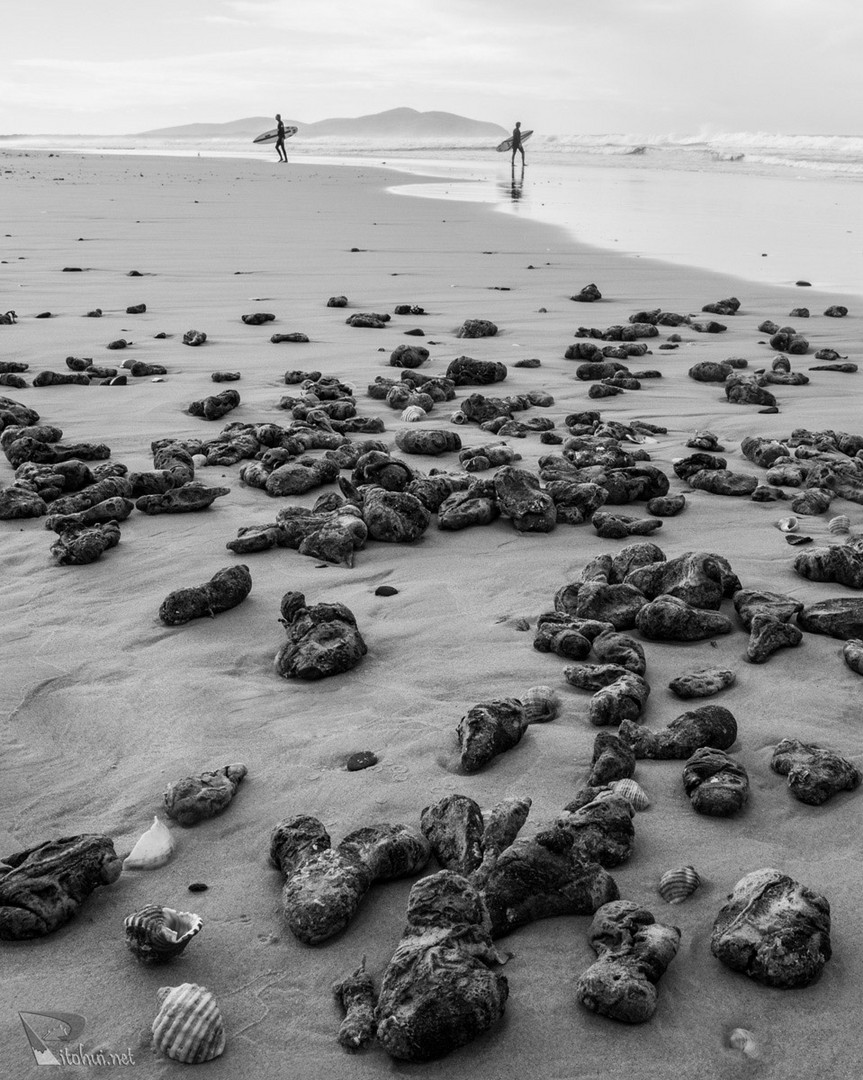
(323, 640)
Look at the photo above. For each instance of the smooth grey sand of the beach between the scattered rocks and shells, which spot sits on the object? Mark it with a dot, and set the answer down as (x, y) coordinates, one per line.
(103, 706)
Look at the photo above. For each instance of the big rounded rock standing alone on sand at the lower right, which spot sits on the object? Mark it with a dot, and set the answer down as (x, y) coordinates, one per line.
(774, 929)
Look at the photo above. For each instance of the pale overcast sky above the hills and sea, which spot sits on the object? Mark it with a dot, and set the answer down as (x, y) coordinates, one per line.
(561, 66)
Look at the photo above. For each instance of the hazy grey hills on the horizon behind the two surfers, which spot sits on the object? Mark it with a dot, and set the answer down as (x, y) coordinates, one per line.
(397, 124)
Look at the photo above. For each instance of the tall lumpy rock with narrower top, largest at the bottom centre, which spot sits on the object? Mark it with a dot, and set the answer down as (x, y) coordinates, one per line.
(440, 990)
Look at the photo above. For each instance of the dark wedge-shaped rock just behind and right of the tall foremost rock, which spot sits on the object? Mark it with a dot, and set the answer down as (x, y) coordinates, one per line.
(544, 876)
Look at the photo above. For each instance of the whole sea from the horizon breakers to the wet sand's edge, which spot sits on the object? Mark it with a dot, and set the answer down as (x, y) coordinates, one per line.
(765, 208)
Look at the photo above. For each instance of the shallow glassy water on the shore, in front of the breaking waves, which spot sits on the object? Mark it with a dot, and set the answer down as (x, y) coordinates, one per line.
(750, 226)
